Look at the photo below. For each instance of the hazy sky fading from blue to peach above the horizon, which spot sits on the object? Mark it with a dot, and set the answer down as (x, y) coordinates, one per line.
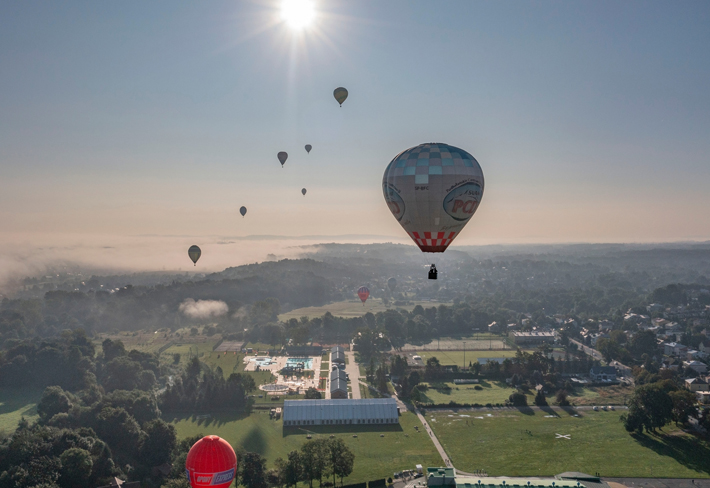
(591, 120)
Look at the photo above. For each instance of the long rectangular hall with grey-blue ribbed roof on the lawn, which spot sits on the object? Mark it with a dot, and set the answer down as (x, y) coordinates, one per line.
(338, 412)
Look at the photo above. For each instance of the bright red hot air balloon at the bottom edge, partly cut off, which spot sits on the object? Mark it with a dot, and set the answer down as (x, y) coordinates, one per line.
(211, 462)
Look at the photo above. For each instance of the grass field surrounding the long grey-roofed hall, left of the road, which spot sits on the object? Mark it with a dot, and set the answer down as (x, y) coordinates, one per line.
(375, 457)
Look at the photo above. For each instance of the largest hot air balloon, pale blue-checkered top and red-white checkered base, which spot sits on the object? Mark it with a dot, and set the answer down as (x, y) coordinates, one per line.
(433, 190)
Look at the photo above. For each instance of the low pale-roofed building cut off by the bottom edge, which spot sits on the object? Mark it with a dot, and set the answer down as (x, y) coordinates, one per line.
(447, 477)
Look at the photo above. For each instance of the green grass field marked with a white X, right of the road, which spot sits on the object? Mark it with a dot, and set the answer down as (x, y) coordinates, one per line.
(500, 444)
